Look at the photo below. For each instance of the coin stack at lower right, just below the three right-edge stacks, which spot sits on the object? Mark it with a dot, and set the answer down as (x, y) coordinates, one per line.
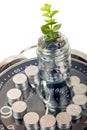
(74, 110)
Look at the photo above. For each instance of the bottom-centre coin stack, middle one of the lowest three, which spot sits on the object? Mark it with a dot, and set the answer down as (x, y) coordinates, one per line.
(48, 122)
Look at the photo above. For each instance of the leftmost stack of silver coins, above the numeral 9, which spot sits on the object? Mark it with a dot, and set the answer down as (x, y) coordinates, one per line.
(13, 95)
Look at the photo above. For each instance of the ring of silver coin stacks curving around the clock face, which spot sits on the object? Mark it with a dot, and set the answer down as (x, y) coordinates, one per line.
(17, 105)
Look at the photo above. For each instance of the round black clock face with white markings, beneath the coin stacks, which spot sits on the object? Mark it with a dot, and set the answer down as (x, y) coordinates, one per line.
(79, 69)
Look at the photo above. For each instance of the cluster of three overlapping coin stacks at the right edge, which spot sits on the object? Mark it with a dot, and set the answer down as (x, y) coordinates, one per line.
(79, 91)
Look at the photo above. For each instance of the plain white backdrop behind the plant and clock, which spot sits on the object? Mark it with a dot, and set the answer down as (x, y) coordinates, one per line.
(20, 22)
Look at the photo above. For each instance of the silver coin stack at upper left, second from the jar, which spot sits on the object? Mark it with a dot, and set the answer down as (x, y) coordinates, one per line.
(20, 81)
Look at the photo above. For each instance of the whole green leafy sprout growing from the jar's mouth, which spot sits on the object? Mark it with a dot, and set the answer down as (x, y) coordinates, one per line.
(50, 29)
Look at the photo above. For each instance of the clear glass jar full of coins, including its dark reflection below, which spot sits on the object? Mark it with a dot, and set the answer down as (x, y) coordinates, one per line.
(54, 62)
